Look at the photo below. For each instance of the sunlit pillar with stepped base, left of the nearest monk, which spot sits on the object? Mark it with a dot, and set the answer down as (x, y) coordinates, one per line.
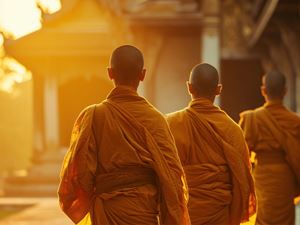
(42, 177)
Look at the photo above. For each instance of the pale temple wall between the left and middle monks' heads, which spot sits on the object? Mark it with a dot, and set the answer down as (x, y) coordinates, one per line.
(170, 53)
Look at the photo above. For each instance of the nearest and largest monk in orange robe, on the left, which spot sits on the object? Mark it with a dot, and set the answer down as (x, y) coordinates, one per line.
(122, 166)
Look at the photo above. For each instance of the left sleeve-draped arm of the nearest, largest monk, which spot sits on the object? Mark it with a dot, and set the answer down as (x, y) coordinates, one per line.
(78, 172)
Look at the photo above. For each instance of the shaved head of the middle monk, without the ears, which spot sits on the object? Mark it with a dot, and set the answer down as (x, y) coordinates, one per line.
(205, 79)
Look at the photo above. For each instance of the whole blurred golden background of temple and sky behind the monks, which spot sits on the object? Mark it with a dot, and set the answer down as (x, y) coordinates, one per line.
(54, 55)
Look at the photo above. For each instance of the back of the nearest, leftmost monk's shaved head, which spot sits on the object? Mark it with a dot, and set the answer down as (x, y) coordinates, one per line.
(127, 62)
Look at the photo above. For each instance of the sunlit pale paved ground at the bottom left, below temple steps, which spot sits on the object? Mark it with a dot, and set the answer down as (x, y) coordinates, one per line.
(45, 211)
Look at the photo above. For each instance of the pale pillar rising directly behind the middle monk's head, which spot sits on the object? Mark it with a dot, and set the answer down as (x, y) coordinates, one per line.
(210, 42)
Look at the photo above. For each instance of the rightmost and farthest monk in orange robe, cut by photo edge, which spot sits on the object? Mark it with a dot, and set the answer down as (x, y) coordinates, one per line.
(273, 133)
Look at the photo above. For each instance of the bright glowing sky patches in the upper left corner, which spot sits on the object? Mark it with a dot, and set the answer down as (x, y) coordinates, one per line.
(18, 18)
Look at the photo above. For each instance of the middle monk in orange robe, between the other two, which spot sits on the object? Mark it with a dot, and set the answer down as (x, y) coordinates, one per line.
(214, 155)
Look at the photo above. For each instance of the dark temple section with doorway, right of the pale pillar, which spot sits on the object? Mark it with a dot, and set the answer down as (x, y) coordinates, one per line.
(258, 36)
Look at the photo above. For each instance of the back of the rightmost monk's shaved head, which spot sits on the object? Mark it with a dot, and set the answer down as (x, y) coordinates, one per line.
(275, 84)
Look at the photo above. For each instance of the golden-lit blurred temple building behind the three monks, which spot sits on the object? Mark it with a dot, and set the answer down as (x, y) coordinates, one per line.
(68, 58)
